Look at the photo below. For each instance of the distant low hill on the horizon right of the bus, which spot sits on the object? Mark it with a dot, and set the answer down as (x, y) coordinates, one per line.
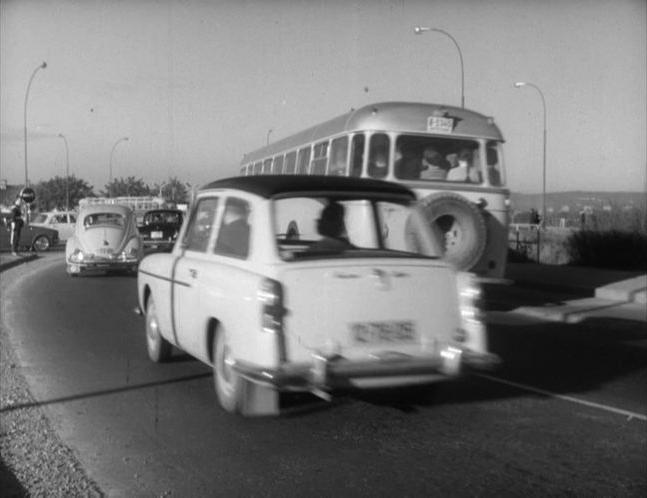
(578, 200)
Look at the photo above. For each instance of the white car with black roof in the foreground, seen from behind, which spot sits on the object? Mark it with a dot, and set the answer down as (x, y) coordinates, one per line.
(304, 283)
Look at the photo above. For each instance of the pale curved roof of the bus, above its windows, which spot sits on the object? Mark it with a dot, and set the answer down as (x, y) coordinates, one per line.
(402, 117)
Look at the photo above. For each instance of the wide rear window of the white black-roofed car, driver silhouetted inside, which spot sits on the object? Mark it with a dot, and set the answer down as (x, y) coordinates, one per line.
(358, 226)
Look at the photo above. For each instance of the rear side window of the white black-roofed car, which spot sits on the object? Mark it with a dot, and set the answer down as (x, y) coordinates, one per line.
(233, 236)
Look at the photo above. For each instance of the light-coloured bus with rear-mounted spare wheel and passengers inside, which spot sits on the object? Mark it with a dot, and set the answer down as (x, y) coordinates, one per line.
(451, 157)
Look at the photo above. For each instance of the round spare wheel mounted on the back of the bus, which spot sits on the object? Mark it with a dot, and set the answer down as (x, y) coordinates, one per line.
(461, 223)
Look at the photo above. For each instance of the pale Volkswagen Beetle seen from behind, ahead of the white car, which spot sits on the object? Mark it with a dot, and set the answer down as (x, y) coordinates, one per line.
(105, 238)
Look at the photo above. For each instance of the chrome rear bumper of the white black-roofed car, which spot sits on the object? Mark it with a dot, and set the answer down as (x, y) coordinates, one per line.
(328, 373)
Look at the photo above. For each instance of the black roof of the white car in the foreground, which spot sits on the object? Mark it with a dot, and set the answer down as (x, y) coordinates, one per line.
(272, 185)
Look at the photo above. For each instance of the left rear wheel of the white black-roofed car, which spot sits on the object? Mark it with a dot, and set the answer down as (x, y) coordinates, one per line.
(228, 384)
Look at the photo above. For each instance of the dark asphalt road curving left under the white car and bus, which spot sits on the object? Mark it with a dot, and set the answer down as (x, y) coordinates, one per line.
(144, 429)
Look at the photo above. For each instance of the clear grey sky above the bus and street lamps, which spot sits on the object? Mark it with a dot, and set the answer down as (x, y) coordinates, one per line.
(195, 84)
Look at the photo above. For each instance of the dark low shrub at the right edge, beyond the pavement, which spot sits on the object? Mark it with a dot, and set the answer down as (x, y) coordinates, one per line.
(608, 249)
